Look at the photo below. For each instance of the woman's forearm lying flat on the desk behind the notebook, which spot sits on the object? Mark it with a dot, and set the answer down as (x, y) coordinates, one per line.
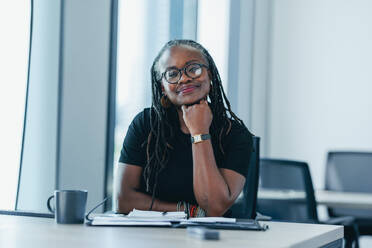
(131, 198)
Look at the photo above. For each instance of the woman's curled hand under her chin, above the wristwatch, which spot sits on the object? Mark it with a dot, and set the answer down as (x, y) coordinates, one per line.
(197, 117)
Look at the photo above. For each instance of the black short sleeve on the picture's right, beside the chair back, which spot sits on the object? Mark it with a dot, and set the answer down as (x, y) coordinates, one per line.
(238, 149)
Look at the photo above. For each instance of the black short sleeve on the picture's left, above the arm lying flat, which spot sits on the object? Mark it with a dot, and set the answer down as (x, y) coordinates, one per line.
(134, 145)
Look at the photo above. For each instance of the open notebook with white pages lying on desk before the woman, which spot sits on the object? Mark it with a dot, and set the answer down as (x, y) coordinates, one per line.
(172, 219)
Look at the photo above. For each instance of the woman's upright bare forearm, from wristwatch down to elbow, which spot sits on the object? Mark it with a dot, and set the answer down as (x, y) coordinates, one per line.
(211, 190)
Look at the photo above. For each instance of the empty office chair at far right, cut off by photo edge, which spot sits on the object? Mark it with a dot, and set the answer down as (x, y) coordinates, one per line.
(351, 172)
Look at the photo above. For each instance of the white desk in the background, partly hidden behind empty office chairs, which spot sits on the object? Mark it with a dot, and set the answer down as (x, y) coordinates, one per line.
(323, 197)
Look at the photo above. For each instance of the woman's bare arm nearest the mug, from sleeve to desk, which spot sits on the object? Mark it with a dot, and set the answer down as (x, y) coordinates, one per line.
(130, 197)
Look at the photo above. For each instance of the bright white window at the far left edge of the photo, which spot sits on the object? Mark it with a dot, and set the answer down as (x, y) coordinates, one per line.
(14, 50)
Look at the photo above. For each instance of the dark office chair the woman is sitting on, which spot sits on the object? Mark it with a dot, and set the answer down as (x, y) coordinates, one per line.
(245, 206)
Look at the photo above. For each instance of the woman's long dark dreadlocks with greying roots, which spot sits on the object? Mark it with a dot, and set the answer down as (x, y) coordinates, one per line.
(162, 128)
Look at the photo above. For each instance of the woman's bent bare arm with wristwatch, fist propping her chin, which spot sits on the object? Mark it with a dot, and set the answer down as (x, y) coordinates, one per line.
(215, 189)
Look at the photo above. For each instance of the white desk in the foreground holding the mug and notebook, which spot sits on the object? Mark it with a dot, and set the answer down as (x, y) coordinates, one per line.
(18, 231)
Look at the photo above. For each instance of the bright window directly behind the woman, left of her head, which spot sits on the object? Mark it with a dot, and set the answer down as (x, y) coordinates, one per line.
(144, 27)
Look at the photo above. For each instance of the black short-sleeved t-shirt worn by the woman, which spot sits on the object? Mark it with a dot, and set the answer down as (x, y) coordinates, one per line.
(175, 182)
